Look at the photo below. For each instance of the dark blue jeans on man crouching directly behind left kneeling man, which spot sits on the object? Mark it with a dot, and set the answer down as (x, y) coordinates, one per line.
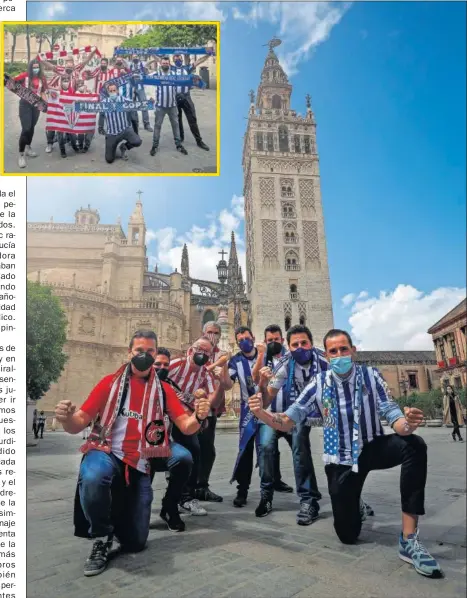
(179, 466)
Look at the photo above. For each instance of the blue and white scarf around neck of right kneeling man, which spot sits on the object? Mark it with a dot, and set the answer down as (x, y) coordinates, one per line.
(331, 418)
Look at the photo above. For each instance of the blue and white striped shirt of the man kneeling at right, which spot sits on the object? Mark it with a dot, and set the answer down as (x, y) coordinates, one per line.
(377, 404)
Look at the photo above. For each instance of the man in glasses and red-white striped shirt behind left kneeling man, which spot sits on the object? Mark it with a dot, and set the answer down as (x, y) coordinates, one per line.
(191, 375)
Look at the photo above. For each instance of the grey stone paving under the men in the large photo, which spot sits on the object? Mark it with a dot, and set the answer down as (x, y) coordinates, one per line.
(231, 553)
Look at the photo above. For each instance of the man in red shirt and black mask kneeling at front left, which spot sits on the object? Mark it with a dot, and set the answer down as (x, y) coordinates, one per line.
(133, 409)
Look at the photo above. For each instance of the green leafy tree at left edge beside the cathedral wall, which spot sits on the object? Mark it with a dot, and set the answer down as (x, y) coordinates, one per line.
(46, 335)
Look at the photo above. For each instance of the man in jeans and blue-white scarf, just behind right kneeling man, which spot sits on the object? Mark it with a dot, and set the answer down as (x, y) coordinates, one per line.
(291, 375)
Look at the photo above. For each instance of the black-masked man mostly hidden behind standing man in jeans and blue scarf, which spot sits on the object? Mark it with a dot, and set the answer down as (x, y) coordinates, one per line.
(269, 354)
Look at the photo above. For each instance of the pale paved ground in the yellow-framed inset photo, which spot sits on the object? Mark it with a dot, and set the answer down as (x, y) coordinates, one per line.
(167, 160)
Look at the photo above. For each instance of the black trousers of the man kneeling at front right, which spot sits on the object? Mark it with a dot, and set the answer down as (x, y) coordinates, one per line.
(385, 452)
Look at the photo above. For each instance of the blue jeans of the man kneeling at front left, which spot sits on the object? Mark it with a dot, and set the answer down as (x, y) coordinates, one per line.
(110, 505)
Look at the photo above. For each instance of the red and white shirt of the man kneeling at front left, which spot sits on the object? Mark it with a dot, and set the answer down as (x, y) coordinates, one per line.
(126, 432)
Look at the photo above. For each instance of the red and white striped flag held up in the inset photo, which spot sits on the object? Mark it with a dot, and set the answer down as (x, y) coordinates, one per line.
(61, 114)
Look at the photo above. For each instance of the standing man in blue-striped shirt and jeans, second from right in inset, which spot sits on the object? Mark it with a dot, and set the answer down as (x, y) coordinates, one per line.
(166, 103)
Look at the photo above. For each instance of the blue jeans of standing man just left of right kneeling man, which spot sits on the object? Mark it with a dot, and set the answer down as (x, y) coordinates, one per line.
(299, 442)
